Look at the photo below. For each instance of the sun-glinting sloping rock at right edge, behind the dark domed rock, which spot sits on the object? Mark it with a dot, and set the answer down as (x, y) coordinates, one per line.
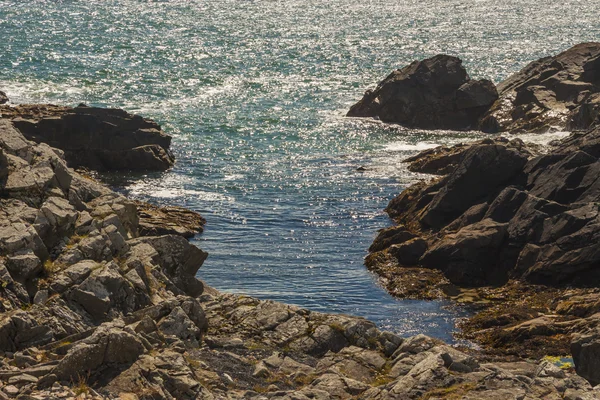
(559, 93)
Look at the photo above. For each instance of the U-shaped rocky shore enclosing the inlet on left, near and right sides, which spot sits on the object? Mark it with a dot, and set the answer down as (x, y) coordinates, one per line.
(100, 299)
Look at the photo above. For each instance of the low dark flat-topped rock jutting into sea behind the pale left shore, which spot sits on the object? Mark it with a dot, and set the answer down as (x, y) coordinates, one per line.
(96, 138)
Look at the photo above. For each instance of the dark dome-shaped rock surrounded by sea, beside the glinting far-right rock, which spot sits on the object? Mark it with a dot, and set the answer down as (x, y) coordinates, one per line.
(435, 93)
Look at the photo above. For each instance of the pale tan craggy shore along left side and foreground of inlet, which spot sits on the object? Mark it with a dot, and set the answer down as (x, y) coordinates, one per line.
(93, 307)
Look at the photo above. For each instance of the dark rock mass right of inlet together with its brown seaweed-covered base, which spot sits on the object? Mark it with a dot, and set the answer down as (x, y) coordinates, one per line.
(510, 230)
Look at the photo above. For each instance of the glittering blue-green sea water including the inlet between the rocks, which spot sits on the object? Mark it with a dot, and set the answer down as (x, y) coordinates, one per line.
(254, 94)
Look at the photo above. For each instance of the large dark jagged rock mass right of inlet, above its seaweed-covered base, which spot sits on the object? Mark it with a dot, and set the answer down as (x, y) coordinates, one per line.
(542, 232)
